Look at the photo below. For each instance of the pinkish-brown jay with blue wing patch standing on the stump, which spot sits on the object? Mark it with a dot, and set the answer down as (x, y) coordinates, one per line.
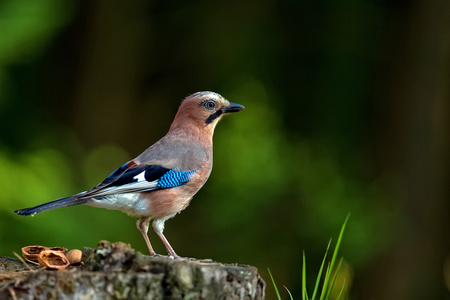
(161, 181)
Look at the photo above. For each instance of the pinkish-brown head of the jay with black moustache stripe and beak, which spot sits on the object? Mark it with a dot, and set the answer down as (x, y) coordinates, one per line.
(204, 110)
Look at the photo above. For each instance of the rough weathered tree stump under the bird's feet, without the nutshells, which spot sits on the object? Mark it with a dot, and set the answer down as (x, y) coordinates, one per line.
(116, 271)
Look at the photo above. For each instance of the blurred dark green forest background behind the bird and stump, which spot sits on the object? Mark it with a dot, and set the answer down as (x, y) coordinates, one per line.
(347, 110)
